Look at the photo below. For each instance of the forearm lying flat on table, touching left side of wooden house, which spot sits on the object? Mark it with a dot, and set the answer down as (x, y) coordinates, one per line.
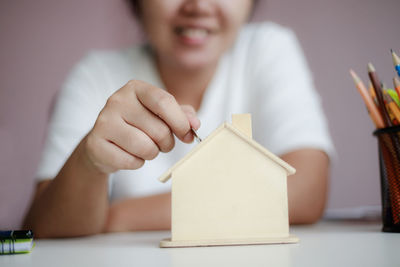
(137, 214)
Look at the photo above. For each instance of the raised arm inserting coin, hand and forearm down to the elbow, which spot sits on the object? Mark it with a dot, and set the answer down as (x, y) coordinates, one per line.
(137, 122)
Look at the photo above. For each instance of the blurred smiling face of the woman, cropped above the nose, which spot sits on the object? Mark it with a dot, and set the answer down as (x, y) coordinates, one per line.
(192, 34)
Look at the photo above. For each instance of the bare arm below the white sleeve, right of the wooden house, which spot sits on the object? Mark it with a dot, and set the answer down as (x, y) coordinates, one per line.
(307, 189)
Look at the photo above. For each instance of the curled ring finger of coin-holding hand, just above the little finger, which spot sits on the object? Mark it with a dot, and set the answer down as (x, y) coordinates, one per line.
(134, 141)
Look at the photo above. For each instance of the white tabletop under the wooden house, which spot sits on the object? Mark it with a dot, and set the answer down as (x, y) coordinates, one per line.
(336, 243)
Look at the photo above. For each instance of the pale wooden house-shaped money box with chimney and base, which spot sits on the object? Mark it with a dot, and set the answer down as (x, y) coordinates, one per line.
(229, 190)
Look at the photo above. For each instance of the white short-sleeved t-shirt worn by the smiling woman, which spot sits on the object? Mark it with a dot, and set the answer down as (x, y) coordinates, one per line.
(264, 74)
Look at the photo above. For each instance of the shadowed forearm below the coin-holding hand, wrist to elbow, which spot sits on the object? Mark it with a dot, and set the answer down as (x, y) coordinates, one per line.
(74, 203)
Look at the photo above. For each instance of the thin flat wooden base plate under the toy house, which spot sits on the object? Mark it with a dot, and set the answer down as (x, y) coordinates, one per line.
(167, 243)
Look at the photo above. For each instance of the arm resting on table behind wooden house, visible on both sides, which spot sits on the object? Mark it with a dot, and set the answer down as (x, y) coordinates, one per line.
(307, 191)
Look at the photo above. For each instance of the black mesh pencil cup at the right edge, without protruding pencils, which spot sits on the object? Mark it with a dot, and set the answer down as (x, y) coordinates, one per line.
(389, 163)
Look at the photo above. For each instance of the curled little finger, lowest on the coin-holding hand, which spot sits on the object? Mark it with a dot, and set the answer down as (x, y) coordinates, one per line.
(112, 158)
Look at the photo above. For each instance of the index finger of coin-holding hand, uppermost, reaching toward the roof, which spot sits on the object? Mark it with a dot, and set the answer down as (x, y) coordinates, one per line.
(165, 106)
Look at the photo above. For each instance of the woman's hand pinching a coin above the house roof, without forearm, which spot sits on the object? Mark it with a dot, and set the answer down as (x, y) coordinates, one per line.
(137, 122)
